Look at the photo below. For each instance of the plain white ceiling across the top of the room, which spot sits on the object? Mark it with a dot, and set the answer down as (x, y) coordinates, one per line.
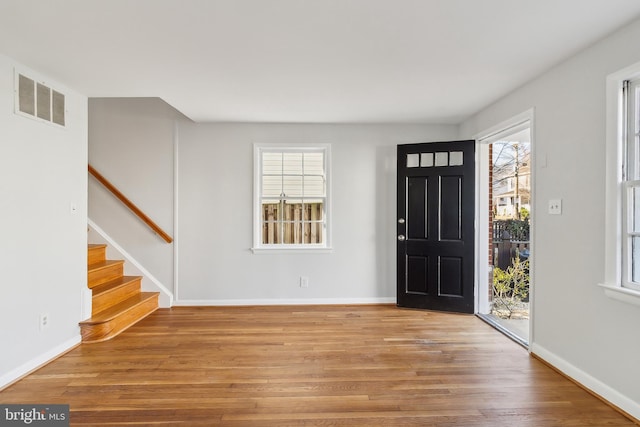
(358, 61)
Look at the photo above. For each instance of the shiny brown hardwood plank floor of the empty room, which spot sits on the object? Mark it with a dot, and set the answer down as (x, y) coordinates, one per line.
(310, 365)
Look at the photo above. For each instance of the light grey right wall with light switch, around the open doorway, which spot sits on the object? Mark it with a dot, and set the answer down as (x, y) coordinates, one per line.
(575, 326)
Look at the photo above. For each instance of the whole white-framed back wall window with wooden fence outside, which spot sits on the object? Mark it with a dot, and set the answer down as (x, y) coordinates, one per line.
(291, 197)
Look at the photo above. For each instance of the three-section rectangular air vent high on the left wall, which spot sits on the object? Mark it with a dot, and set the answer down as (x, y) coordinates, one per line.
(37, 100)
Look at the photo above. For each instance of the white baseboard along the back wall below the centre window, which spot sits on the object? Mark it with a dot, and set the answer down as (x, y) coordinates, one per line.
(306, 301)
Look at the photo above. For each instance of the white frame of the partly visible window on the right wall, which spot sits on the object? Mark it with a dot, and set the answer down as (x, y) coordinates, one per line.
(618, 153)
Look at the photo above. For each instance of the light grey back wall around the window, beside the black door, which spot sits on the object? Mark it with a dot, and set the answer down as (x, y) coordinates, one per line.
(216, 265)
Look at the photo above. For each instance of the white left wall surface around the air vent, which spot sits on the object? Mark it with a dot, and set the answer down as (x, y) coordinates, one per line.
(43, 248)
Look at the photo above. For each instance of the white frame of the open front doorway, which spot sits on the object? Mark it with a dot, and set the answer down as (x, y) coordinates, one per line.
(481, 274)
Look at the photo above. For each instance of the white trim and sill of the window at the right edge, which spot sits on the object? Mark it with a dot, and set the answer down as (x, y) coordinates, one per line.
(615, 146)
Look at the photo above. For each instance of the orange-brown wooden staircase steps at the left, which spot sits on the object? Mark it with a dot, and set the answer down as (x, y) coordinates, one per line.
(117, 301)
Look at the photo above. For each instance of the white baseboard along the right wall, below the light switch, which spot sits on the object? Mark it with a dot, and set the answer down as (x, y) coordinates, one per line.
(608, 395)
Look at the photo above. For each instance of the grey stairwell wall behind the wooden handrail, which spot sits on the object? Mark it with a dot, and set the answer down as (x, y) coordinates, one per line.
(131, 143)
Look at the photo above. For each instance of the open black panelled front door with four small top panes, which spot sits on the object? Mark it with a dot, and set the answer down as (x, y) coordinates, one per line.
(435, 226)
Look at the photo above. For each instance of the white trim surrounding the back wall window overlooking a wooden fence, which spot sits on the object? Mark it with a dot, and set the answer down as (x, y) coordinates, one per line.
(258, 247)
